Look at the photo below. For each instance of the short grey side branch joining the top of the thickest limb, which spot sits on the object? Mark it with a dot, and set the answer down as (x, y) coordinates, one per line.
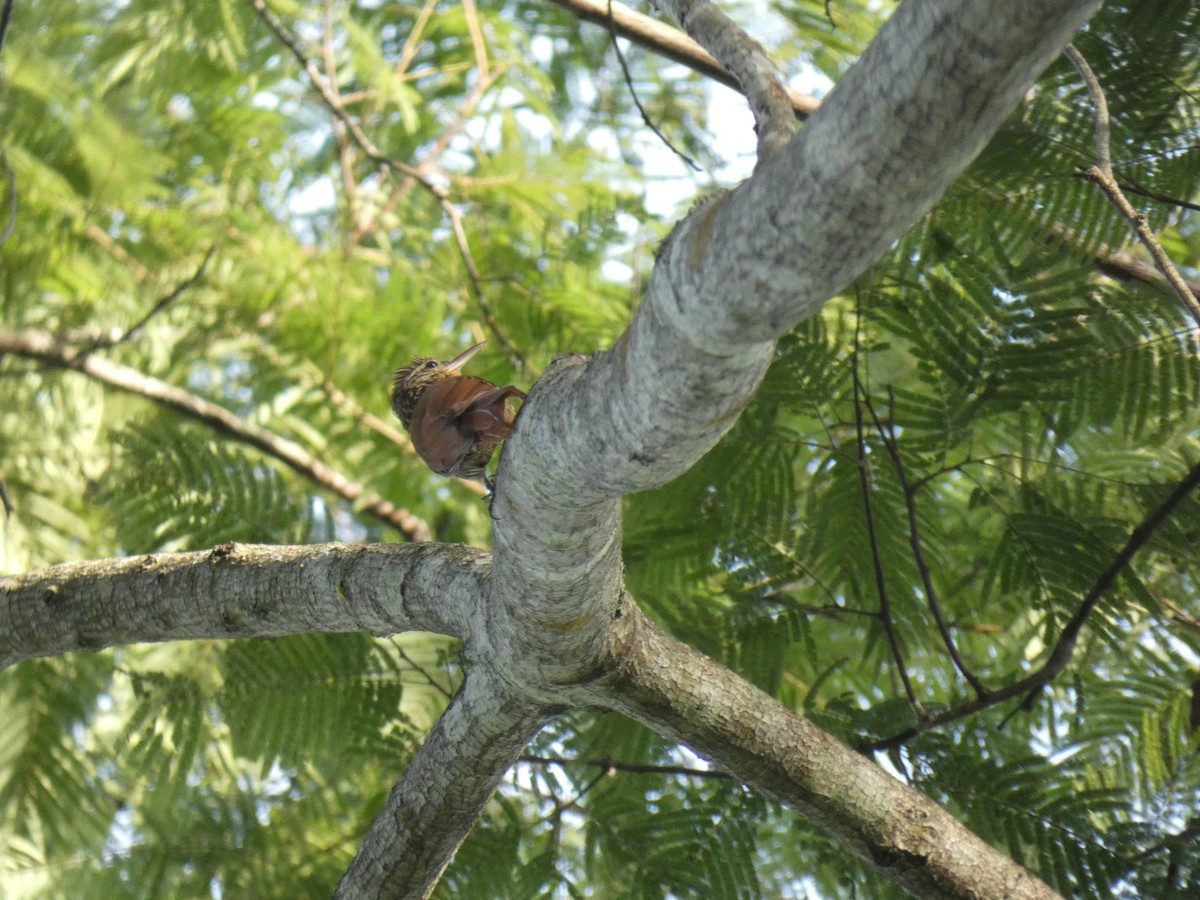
(748, 63)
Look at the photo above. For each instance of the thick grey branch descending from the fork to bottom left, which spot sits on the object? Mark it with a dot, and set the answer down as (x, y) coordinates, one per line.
(443, 791)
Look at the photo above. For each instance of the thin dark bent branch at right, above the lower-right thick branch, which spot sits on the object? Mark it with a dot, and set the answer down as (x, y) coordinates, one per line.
(1064, 650)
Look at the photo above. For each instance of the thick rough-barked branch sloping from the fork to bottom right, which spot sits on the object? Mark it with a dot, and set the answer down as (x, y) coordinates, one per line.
(679, 692)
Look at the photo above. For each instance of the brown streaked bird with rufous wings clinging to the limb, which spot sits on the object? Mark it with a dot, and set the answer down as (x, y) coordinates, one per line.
(457, 422)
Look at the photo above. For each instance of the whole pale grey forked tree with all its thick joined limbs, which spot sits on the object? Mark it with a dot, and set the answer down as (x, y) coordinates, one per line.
(549, 625)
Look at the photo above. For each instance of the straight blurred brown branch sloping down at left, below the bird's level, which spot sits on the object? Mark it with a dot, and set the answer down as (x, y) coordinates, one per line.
(47, 349)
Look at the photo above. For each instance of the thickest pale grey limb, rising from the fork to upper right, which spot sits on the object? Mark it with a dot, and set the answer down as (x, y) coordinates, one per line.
(746, 267)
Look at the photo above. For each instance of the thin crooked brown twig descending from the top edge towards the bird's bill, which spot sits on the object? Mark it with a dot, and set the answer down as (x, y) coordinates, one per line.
(328, 92)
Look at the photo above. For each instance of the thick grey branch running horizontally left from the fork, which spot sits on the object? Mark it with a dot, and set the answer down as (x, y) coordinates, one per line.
(241, 591)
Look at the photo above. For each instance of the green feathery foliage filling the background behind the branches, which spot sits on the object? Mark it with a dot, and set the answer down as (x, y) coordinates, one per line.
(993, 380)
